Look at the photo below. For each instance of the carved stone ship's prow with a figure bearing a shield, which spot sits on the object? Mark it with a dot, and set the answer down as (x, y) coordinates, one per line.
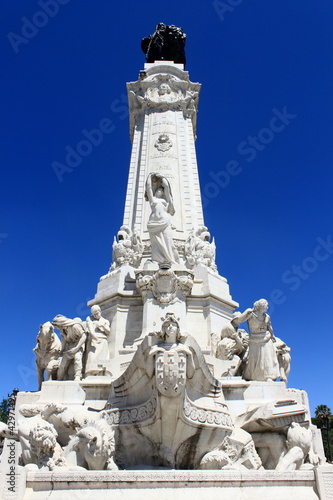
(168, 396)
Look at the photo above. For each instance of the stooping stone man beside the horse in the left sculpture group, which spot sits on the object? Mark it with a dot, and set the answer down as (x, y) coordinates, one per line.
(72, 346)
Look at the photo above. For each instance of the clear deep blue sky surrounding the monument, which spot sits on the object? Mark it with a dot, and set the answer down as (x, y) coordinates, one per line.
(272, 221)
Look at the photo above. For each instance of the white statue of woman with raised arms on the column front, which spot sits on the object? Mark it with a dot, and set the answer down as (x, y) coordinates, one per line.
(158, 193)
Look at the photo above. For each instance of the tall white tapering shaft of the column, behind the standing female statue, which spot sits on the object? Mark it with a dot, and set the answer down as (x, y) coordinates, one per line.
(163, 107)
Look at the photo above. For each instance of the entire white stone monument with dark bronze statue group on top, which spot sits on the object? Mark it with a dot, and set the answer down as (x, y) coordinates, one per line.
(159, 391)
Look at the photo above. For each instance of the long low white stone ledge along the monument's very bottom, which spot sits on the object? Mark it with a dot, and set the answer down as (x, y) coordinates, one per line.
(181, 485)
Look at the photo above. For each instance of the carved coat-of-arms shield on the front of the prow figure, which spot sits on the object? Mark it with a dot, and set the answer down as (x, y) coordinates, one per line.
(170, 372)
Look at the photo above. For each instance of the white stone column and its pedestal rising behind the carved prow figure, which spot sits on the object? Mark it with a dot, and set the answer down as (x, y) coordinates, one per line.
(163, 259)
